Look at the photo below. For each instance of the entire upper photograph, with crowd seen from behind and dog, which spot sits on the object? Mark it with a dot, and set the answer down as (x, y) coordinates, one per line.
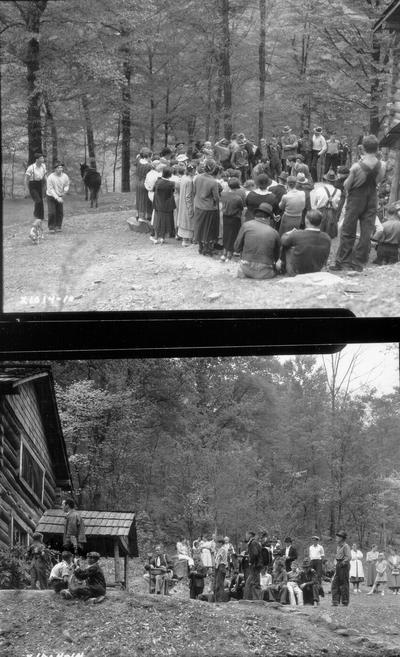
(215, 155)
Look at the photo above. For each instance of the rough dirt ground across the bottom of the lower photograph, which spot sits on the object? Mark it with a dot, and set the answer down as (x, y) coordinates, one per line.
(138, 624)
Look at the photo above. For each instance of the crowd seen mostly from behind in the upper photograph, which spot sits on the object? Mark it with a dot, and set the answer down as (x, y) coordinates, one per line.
(277, 205)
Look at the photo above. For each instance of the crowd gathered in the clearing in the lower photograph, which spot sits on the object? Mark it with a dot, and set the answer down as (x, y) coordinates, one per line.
(271, 570)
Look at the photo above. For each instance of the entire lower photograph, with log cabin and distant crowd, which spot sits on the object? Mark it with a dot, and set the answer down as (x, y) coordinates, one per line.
(201, 506)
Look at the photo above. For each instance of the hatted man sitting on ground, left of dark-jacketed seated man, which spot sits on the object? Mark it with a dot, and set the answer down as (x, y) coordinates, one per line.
(259, 245)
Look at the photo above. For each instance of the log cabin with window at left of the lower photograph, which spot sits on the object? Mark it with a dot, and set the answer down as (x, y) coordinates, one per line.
(34, 468)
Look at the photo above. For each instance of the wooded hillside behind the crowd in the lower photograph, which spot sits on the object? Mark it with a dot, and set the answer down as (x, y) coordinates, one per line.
(194, 445)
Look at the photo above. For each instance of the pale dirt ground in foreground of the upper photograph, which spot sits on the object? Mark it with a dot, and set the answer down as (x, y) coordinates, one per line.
(98, 263)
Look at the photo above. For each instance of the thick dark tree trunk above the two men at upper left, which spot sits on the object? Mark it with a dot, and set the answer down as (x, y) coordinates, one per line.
(31, 13)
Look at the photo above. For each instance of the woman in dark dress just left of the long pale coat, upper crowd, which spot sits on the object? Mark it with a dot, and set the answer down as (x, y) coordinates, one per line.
(164, 206)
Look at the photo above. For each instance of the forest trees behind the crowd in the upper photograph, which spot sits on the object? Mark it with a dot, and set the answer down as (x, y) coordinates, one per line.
(100, 78)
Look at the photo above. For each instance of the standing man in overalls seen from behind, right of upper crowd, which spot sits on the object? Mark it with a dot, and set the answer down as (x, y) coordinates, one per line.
(362, 205)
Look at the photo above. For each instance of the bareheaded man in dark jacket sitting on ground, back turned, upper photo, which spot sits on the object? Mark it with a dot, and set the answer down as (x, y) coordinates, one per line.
(305, 251)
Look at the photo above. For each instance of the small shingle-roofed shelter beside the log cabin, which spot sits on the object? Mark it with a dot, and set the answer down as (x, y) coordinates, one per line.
(101, 529)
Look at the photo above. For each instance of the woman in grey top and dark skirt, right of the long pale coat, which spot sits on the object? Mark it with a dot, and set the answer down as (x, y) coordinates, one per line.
(206, 208)
